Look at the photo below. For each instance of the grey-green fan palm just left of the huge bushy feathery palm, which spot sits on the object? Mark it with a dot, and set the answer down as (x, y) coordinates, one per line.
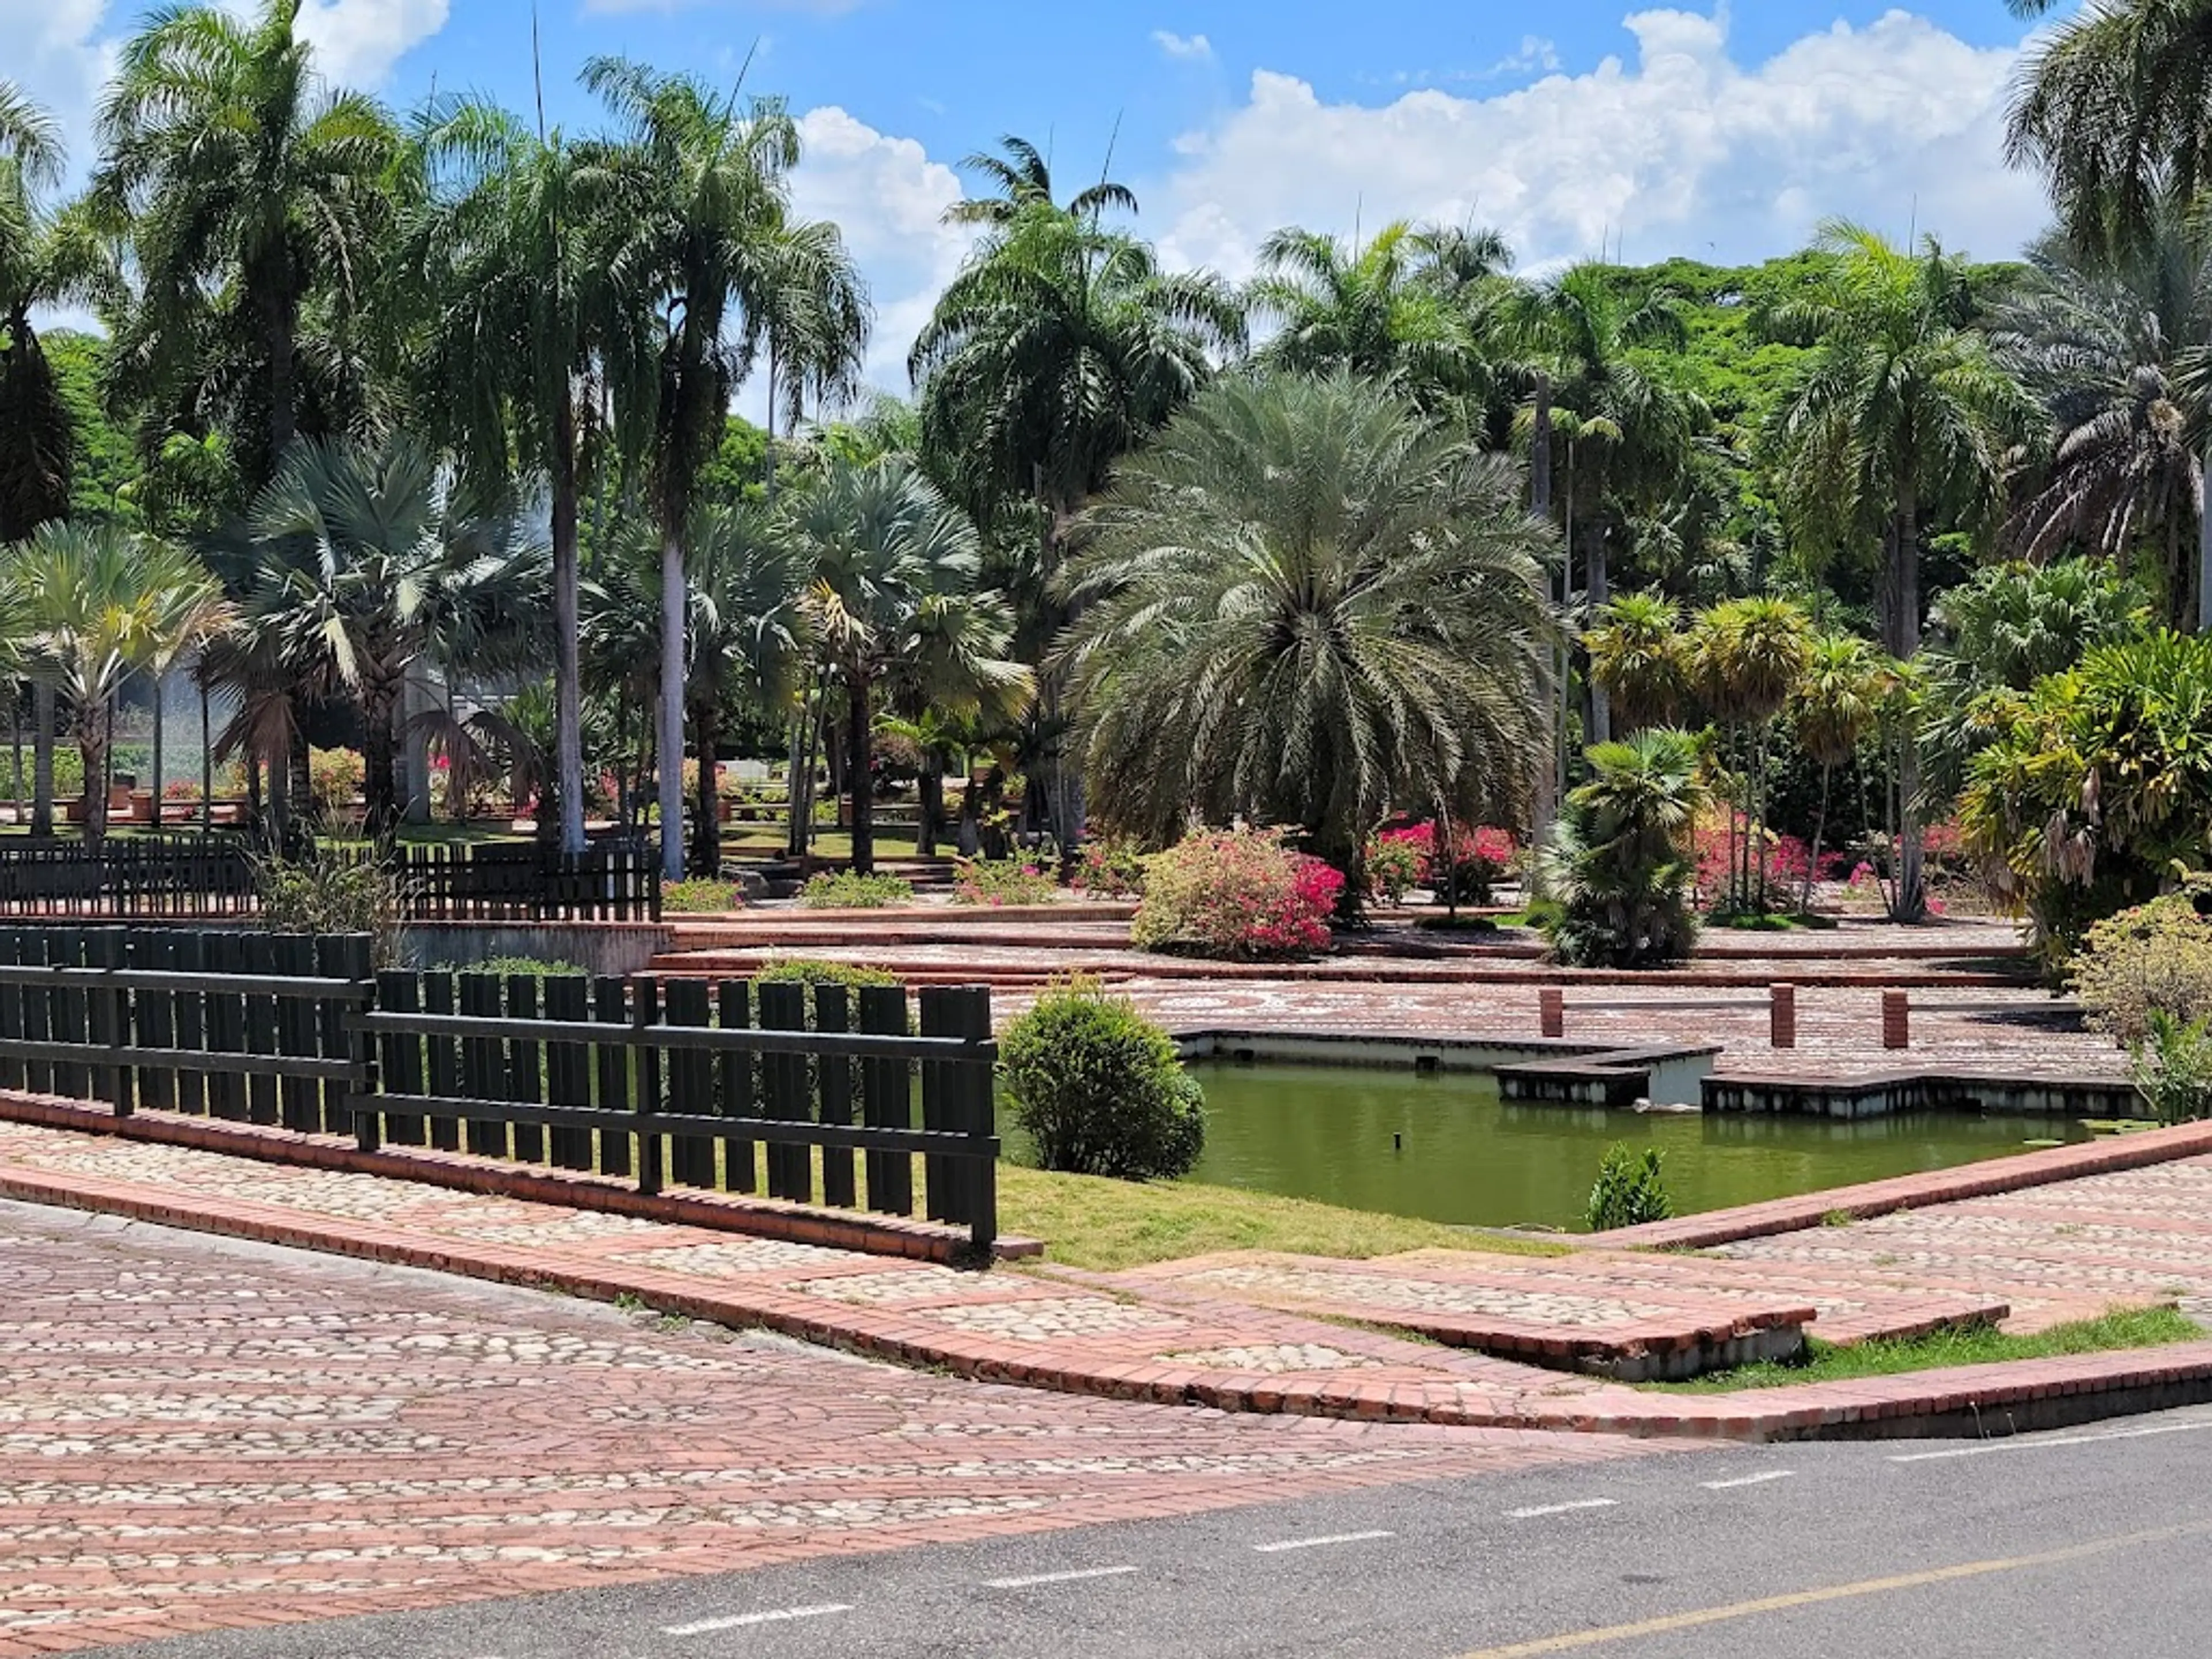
(893, 574)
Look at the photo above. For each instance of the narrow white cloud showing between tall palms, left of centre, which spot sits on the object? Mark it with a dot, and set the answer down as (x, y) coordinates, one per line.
(890, 200)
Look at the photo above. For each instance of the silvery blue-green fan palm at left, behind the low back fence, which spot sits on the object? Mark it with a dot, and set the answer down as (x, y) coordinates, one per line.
(371, 565)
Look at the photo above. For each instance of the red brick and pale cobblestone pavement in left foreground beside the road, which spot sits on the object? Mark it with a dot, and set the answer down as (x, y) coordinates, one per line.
(205, 1434)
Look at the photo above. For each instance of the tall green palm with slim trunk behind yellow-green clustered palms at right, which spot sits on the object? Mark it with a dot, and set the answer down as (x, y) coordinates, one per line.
(1899, 413)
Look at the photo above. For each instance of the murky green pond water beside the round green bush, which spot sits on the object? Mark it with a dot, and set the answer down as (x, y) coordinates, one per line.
(1450, 1149)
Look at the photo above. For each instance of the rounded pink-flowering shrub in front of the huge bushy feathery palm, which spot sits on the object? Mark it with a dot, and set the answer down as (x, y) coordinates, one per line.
(1235, 895)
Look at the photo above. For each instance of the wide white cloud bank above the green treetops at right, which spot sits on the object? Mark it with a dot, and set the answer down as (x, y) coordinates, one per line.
(1682, 152)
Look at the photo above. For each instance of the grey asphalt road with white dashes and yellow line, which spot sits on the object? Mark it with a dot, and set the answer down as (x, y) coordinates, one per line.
(2089, 1543)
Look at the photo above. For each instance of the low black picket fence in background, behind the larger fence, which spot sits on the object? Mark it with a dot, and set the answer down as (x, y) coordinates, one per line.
(213, 877)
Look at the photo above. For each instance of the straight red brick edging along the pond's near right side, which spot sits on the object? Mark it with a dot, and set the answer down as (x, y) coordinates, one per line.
(1914, 1191)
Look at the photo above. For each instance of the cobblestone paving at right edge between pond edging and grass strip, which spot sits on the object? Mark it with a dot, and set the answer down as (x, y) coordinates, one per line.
(2105, 1238)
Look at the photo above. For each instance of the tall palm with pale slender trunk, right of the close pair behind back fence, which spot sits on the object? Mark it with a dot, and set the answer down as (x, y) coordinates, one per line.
(709, 205)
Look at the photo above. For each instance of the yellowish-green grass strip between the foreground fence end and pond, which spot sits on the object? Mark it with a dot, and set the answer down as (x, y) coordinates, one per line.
(1092, 1222)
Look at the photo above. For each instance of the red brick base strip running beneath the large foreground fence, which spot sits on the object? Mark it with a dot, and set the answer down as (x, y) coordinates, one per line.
(574, 1189)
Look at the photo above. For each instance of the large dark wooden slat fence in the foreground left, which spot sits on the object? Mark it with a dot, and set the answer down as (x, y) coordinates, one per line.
(804, 1096)
